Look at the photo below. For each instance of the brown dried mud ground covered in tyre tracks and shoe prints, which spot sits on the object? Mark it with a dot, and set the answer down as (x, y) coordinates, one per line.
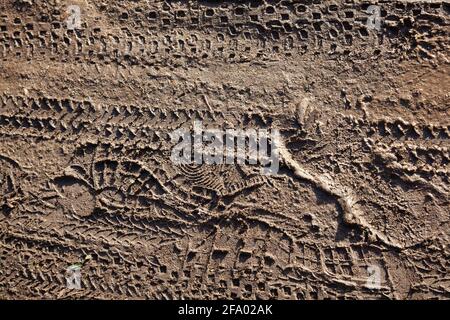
(85, 169)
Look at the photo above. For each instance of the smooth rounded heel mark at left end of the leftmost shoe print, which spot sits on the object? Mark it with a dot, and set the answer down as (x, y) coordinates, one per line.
(75, 195)
